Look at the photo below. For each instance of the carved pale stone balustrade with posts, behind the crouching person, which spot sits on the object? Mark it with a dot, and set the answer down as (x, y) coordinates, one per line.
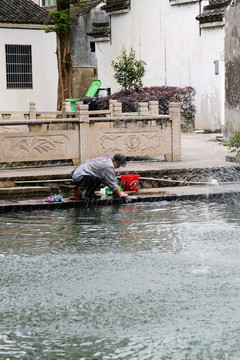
(43, 136)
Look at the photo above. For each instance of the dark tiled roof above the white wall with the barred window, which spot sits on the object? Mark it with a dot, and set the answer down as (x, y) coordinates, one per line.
(22, 12)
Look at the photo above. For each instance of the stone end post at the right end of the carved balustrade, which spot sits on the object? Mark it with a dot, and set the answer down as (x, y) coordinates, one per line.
(175, 117)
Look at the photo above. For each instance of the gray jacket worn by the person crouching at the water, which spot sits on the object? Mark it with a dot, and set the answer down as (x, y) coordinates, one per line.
(101, 168)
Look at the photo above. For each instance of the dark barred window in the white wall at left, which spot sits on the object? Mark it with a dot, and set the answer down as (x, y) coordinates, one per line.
(19, 66)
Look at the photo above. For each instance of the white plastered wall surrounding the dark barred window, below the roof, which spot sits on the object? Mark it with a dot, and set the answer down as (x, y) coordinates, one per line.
(44, 65)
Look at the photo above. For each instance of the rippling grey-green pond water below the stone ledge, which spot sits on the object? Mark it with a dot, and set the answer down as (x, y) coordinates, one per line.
(137, 281)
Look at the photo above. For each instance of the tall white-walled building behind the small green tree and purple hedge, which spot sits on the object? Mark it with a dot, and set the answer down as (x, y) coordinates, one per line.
(179, 51)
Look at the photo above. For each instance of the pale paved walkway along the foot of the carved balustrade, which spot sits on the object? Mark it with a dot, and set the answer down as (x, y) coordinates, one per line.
(198, 151)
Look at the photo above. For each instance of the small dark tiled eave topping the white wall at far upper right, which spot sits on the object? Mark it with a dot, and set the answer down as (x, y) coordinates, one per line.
(214, 11)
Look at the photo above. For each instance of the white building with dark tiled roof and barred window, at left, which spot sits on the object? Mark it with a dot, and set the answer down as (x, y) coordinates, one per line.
(28, 62)
